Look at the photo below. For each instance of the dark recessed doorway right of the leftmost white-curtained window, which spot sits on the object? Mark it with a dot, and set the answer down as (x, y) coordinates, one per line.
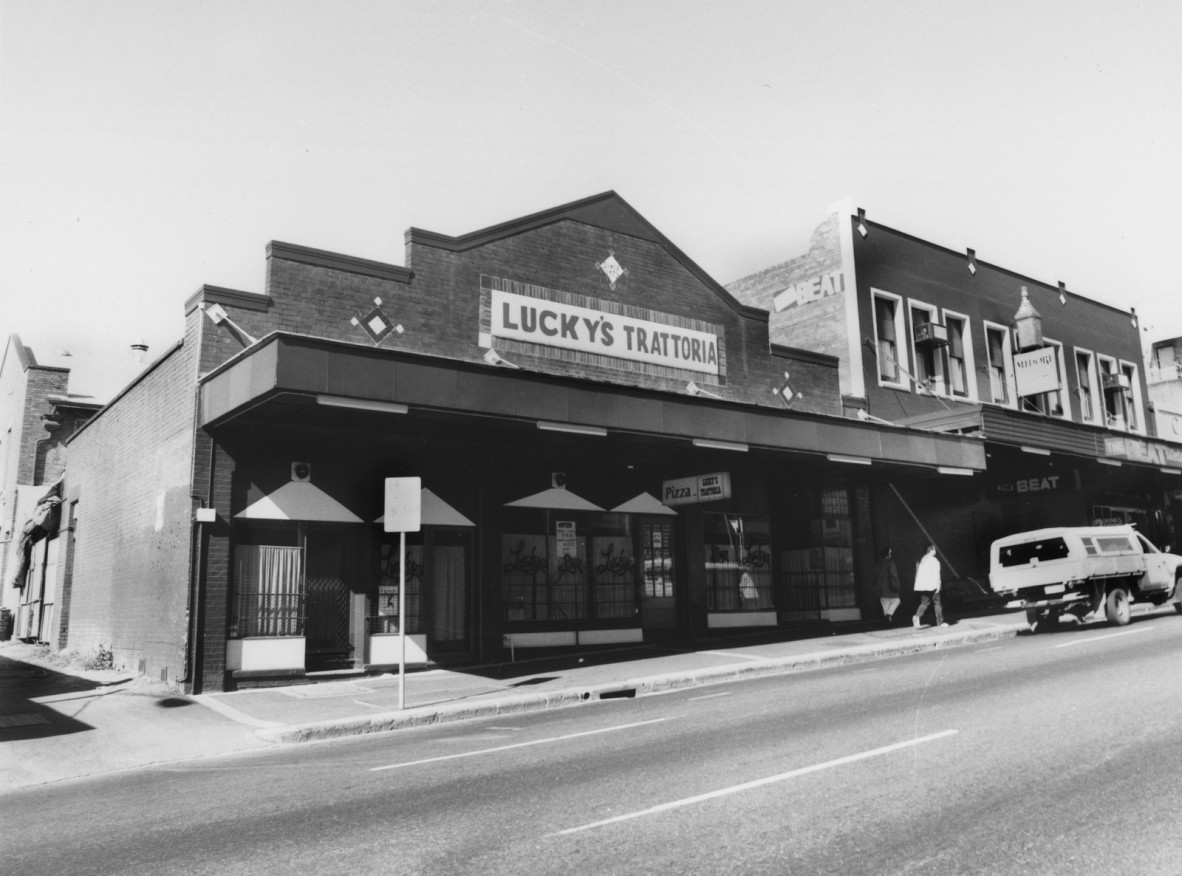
(327, 600)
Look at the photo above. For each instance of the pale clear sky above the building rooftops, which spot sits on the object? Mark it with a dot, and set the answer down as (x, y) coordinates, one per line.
(150, 147)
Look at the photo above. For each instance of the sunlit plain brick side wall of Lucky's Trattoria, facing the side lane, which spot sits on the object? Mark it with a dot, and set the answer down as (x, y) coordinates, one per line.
(131, 472)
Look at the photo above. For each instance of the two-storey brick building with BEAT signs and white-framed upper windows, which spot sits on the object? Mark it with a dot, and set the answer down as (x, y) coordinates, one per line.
(932, 339)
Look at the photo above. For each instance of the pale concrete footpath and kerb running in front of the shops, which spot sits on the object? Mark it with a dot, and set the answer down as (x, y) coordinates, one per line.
(60, 723)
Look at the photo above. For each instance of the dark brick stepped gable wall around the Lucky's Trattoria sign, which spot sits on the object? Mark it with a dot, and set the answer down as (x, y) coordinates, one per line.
(439, 308)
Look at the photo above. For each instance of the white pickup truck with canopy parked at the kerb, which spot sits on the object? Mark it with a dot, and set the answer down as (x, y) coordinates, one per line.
(1083, 570)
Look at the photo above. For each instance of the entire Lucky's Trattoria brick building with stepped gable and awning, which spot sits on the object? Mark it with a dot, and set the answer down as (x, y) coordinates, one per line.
(613, 449)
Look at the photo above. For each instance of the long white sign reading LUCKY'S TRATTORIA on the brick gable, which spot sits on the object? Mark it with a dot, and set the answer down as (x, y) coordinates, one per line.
(537, 321)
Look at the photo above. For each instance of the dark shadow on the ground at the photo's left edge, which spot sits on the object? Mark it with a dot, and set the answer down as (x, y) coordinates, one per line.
(22, 685)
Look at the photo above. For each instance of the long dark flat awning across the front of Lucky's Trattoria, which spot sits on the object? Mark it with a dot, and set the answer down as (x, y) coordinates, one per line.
(296, 381)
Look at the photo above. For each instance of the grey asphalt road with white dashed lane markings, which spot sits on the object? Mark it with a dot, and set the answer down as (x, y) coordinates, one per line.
(1054, 754)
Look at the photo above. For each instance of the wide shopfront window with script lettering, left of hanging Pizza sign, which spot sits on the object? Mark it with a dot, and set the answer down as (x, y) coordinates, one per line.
(571, 567)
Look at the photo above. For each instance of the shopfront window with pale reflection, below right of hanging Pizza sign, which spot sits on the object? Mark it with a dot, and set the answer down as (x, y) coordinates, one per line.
(738, 563)
